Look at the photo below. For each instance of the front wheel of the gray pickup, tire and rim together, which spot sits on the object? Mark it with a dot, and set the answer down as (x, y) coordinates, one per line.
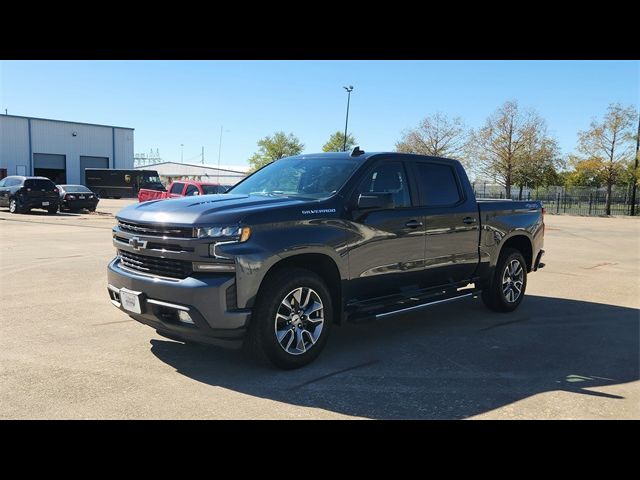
(292, 318)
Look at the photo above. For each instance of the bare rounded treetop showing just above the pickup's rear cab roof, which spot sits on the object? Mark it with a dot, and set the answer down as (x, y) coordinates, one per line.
(436, 135)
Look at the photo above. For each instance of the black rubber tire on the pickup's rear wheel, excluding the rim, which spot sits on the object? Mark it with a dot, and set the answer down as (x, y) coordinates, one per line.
(493, 295)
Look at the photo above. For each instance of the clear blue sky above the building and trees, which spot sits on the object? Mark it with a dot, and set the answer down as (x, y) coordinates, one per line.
(185, 102)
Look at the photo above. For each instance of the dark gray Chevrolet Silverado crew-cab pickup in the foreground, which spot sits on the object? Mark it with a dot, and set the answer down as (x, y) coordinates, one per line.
(314, 240)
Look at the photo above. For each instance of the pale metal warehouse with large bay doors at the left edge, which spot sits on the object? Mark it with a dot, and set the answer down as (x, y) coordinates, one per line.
(61, 150)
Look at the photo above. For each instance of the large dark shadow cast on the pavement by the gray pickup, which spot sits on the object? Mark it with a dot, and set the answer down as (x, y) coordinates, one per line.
(448, 362)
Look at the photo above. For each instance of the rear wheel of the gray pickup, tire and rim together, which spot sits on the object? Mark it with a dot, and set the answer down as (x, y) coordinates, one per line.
(508, 284)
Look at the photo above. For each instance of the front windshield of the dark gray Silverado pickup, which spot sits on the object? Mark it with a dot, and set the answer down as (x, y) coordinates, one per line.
(298, 177)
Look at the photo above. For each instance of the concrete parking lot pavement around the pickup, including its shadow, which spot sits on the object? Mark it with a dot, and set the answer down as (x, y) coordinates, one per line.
(570, 351)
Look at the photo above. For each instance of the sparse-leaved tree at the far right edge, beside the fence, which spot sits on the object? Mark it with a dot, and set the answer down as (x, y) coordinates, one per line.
(609, 144)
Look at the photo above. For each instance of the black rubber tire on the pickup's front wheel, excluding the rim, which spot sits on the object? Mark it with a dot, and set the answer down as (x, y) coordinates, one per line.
(262, 342)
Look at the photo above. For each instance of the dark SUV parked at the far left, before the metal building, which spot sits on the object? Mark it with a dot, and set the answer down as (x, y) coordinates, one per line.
(21, 194)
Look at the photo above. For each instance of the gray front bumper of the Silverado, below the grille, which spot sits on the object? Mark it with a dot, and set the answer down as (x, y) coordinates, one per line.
(204, 298)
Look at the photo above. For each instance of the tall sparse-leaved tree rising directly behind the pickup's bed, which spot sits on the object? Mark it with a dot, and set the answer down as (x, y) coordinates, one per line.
(505, 142)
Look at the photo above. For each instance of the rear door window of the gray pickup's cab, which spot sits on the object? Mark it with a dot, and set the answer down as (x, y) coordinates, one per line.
(438, 185)
